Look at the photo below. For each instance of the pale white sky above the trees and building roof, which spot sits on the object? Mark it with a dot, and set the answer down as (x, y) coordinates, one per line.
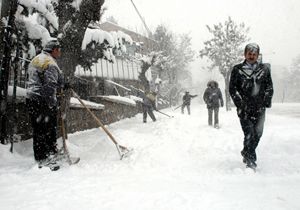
(274, 25)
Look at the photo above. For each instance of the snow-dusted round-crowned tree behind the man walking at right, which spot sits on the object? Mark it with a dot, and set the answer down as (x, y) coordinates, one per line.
(224, 49)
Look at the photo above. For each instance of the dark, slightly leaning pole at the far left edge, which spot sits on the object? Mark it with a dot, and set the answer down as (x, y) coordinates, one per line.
(5, 69)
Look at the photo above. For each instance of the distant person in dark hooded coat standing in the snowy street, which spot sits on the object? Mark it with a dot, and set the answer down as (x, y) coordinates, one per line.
(213, 99)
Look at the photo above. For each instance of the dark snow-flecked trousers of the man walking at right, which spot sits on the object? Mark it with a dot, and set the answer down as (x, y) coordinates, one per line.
(252, 127)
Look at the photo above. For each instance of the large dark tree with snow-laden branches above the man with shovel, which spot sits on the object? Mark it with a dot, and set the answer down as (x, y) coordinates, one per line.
(72, 22)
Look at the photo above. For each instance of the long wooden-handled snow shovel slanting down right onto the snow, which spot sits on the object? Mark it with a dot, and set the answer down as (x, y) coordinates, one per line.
(123, 151)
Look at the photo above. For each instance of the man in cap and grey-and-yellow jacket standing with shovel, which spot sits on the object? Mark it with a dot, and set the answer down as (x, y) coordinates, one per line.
(44, 78)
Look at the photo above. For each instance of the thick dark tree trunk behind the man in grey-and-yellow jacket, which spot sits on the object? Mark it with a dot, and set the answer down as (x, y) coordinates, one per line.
(73, 25)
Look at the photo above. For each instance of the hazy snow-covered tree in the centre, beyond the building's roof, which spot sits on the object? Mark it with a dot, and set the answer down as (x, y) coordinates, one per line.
(176, 54)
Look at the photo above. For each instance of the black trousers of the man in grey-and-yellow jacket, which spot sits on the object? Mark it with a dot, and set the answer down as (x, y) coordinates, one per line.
(44, 125)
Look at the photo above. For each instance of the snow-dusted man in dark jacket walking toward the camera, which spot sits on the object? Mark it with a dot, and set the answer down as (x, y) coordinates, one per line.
(251, 90)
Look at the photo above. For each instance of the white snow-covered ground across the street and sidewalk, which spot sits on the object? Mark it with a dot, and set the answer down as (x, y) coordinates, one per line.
(178, 163)
